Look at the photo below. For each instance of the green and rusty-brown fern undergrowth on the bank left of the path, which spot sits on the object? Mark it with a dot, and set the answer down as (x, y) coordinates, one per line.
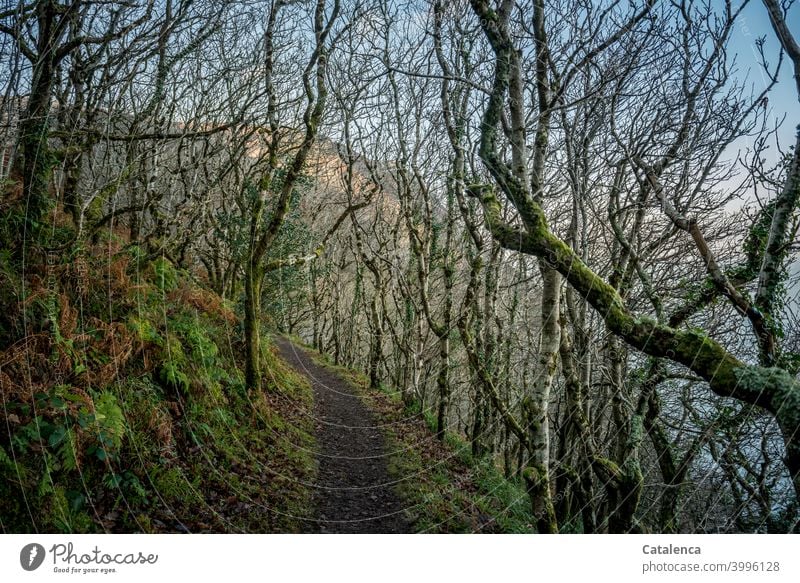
(126, 408)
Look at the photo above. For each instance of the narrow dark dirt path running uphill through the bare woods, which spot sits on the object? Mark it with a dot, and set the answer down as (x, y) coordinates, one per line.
(353, 487)
